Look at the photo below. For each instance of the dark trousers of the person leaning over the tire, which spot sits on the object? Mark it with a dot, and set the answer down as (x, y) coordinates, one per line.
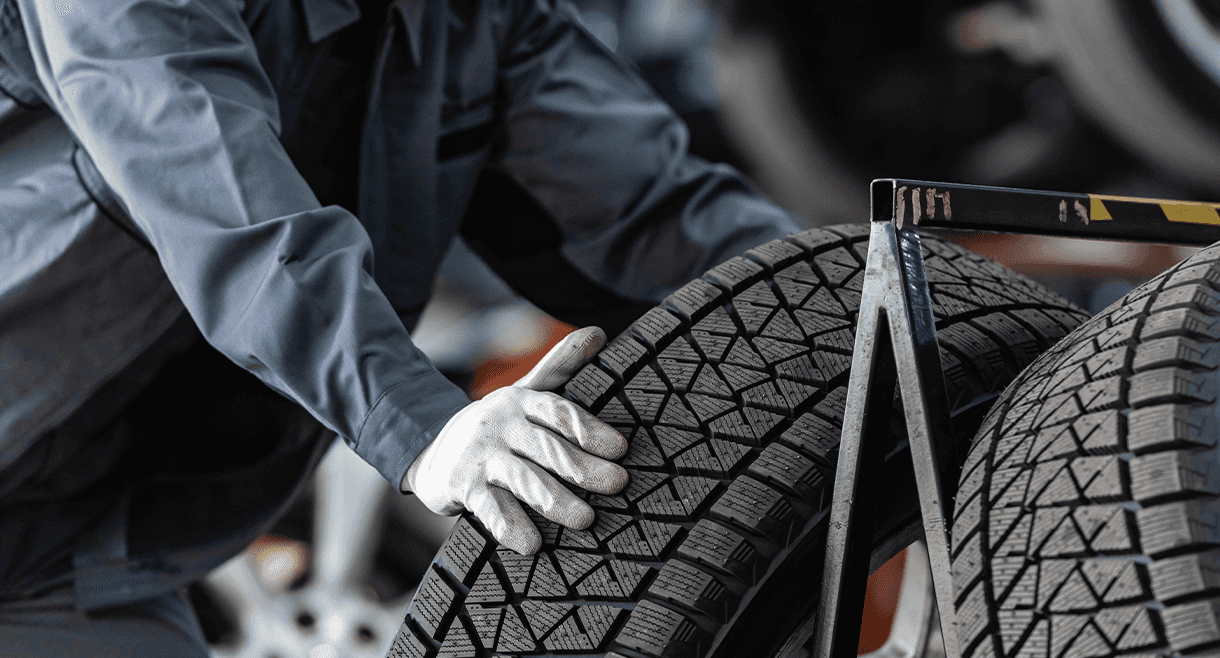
(180, 461)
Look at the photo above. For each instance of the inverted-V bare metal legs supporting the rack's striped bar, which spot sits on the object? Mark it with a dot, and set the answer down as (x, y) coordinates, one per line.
(896, 349)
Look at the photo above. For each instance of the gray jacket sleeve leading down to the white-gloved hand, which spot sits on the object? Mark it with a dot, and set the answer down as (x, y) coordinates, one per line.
(170, 101)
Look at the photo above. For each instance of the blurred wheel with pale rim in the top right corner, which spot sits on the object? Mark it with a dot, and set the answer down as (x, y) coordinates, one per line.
(1136, 68)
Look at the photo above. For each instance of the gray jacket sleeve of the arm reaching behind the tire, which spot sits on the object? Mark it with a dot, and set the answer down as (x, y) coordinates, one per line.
(590, 141)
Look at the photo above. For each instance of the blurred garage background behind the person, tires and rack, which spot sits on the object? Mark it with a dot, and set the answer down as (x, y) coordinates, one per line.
(812, 99)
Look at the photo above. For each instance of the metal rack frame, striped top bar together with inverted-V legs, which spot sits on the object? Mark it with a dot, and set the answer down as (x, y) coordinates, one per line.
(896, 351)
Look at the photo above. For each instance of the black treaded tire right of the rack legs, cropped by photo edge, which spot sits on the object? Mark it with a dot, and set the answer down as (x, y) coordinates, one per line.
(1088, 519)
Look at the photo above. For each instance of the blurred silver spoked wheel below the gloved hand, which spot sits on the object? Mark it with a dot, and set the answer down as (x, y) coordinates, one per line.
(334, 579)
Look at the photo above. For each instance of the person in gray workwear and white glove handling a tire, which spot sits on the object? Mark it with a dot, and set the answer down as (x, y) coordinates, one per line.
(282, 179)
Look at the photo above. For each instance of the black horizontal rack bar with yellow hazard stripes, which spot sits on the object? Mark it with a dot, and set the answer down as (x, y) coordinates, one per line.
(1011, 211)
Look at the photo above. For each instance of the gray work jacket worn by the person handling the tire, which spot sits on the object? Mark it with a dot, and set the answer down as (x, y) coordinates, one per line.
(173, 123)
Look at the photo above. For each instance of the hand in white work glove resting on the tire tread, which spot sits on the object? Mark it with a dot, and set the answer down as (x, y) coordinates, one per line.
(502, 447)
